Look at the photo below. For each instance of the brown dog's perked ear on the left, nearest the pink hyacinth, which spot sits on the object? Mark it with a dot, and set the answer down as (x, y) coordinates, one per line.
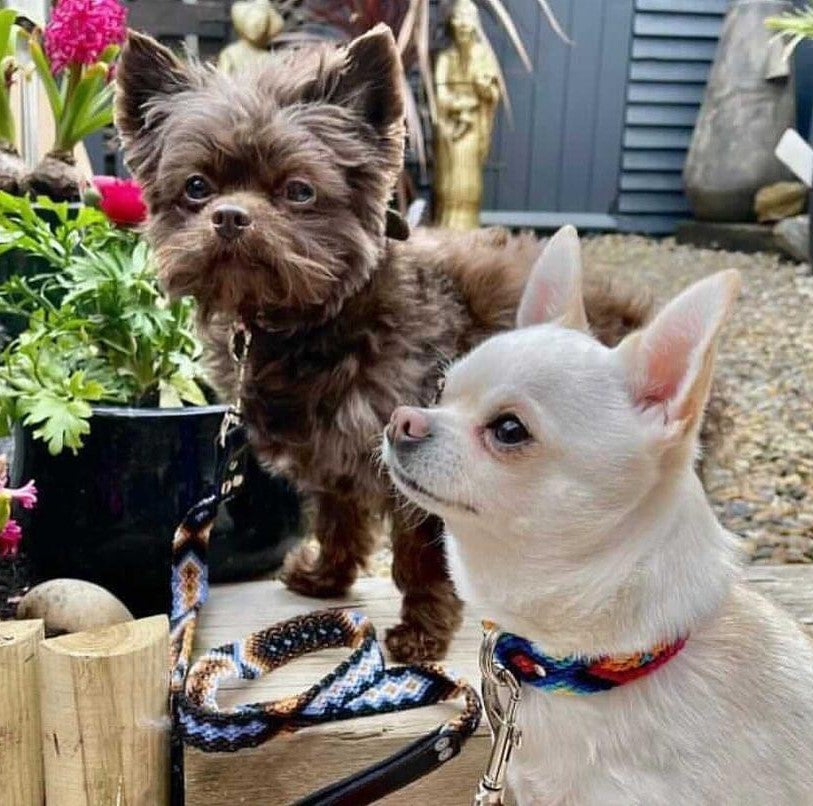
(146, 72)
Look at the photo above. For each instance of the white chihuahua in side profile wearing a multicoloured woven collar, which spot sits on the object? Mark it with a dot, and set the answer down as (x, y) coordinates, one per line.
(563, 471)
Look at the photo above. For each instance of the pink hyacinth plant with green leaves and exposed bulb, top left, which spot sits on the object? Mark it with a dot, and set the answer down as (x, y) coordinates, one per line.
(74, 57)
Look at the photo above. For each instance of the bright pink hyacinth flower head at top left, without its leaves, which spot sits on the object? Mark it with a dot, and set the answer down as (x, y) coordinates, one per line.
(79, 31)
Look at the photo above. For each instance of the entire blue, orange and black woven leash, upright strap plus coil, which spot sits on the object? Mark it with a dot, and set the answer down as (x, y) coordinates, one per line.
(359, 686)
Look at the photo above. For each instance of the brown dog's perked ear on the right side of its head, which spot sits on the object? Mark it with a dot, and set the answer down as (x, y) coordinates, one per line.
(368, 80)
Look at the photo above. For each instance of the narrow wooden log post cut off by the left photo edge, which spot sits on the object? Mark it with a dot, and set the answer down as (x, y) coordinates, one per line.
(20, 738)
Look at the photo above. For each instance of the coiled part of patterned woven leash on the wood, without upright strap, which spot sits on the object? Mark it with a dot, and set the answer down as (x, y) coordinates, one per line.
(359, 686)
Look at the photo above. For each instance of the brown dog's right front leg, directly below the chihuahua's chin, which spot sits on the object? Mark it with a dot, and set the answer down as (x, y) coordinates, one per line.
(431, 611)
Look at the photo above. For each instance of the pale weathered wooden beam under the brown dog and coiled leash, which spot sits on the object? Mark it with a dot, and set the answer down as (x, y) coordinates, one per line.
(289, 767)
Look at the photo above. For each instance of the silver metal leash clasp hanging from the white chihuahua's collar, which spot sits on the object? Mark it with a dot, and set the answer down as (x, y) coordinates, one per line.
(505, 735)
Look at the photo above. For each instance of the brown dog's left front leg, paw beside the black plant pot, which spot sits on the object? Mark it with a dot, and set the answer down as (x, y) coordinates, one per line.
(345, 541)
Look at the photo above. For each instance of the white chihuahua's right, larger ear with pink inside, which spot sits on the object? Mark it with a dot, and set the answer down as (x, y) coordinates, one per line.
(670, 363)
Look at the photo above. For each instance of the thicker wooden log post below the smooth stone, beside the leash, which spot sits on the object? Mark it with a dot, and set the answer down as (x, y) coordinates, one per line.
(105, 715)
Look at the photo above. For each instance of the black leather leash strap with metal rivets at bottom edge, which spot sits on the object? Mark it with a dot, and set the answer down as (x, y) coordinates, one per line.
(412, 762)
